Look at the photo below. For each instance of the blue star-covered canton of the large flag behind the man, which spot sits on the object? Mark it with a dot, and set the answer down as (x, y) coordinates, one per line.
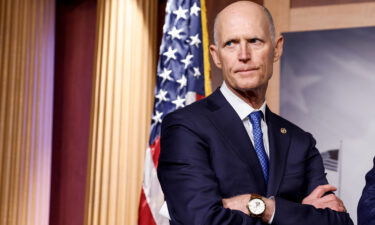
(180, 77)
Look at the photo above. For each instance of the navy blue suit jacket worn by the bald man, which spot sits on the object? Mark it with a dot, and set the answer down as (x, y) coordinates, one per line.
(206, 155)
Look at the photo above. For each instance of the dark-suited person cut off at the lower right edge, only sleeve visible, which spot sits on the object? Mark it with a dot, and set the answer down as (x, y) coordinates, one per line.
(366, 206)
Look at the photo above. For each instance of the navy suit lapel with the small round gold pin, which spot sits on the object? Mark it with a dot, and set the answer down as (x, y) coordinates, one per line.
(279, 139)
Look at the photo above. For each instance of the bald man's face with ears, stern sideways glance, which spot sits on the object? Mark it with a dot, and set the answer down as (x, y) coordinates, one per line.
(244, 51)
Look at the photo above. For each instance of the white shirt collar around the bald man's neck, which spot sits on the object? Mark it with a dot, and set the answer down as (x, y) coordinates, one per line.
(240, 106)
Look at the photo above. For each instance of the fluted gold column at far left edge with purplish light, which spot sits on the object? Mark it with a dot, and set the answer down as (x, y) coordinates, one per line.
(26, 90)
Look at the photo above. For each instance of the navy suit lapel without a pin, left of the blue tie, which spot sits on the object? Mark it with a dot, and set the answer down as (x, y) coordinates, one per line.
(229, 124)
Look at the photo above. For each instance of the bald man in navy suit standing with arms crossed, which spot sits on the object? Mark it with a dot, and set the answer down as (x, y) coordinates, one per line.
(228, 159)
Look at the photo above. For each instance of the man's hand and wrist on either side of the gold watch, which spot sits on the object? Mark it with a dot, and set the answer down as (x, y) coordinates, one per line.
(239, 202)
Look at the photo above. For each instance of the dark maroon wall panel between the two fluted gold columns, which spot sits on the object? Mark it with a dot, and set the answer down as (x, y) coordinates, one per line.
(75, 44)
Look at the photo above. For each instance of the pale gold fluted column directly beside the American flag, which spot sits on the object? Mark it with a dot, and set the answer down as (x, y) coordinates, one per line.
(121, 109)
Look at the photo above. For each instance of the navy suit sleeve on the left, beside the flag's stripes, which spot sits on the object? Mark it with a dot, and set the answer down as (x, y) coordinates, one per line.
(188, 181)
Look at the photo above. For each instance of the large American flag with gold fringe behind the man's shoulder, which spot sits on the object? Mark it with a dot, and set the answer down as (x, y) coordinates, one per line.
(180, 81)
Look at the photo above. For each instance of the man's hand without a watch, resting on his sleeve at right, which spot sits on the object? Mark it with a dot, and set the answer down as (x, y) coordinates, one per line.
(329, 201)
